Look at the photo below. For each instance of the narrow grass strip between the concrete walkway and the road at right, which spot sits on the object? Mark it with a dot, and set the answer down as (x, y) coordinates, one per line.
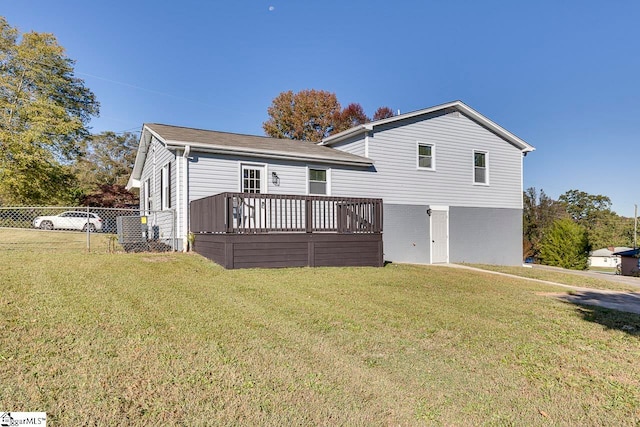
(559, 277)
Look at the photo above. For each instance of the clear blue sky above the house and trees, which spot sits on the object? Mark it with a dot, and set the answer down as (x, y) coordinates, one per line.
(562, 75)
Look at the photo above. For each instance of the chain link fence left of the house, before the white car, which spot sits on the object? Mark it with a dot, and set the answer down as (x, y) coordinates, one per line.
(87, 228)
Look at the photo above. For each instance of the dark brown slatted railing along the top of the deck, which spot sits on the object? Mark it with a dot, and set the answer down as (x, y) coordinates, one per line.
(276, 213)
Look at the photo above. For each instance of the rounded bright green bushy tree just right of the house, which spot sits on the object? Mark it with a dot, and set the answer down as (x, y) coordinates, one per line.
(565, 245)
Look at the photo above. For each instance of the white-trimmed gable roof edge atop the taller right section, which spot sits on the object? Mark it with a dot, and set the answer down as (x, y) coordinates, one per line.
(455, 105)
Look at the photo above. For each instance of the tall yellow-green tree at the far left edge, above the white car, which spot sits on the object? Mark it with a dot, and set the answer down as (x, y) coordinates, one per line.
(44, 112)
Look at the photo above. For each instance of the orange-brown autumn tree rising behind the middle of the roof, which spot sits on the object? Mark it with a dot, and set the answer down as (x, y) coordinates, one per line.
(307, 115)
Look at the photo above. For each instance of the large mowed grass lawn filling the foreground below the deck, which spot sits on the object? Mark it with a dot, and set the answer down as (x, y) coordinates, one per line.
(154, 339)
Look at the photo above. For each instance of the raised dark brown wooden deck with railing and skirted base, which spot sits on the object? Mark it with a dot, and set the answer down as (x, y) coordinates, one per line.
(239, 230)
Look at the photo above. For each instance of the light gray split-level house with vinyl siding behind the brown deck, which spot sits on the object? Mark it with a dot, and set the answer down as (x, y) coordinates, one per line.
(450, 179)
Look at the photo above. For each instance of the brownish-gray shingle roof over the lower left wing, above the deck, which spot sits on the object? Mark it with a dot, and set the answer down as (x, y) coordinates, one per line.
(254, 146)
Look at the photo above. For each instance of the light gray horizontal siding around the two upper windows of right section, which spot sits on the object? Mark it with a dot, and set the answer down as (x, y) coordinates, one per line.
(395, 178)
